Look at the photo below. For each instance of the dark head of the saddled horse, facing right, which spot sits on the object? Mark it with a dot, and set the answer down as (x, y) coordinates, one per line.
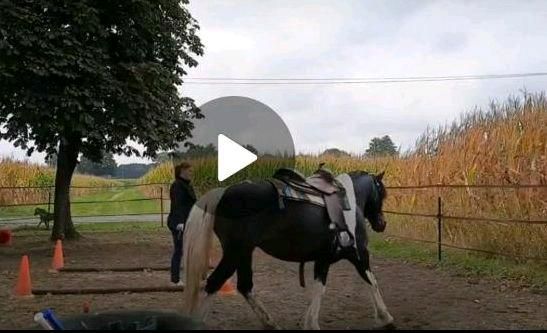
(369, 195)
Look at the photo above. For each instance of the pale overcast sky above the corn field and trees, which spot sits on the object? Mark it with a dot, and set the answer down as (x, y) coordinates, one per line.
(321, 39)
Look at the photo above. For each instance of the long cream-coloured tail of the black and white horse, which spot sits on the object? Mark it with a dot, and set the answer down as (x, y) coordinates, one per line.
(198, 236)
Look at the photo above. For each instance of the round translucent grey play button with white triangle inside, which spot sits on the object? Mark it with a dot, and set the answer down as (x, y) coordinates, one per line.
(239, 139)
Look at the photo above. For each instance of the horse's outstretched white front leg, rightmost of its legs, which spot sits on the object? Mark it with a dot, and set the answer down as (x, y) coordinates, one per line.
(382, 316)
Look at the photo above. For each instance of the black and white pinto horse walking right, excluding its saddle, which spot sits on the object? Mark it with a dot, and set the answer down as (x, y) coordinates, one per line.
(247, 215)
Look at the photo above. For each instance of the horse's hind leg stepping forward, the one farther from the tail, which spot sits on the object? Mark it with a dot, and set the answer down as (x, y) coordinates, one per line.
(245, 286)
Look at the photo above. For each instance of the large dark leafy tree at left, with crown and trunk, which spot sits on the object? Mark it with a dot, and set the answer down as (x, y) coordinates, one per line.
(83, 76)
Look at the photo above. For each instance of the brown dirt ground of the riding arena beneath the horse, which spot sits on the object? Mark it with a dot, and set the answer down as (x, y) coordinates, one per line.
(418, 297)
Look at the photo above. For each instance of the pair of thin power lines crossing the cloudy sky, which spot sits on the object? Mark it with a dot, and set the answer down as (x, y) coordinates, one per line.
(341, 80)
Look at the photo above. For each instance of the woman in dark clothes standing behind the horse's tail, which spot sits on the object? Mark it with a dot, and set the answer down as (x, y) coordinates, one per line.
(182, 197)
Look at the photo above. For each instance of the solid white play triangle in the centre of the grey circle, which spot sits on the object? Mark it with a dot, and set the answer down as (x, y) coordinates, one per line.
(232, 157)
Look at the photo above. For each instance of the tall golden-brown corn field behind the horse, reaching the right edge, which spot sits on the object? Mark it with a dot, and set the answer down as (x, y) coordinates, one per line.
(502, 145)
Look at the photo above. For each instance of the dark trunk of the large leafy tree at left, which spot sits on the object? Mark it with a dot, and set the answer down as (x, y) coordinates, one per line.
(67, 158)
